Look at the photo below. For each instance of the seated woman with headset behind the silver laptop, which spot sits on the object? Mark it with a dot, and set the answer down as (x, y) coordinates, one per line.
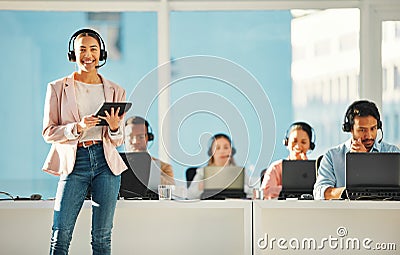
(221, 153)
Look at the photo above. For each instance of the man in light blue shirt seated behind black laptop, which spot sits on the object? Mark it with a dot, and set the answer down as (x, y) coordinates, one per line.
(363, 121)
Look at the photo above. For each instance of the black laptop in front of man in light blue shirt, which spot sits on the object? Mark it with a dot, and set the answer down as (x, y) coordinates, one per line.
(373, 176)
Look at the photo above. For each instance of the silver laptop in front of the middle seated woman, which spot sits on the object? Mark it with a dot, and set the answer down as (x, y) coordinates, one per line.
(223, 182)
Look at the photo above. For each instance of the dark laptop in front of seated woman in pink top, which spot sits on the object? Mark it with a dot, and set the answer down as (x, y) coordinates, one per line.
(298, 179)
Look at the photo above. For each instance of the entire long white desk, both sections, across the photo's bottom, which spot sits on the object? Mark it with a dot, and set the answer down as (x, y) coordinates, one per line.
(213, 227)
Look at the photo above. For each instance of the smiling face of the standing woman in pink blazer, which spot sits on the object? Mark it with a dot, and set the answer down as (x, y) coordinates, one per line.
(87, 52)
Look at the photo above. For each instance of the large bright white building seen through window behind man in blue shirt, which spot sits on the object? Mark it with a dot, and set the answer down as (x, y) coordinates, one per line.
(335, 44)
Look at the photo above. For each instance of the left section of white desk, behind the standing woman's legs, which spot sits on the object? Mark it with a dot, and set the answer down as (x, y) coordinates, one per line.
(140, 227)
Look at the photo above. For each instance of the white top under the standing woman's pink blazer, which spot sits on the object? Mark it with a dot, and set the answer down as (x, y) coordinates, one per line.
(89, 97)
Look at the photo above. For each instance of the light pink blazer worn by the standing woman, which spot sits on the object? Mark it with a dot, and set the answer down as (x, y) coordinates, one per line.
(61, 109)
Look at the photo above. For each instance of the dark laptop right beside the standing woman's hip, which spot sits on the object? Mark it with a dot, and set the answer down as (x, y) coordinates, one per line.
(134, 181)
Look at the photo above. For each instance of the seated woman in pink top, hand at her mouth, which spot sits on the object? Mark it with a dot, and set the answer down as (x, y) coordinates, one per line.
(298, 140)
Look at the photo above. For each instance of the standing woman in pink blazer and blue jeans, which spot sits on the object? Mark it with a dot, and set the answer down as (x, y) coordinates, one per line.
(83, 154)
